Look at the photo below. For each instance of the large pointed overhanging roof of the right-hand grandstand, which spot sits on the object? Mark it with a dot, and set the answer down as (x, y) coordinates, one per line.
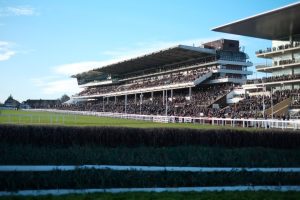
(276, 24)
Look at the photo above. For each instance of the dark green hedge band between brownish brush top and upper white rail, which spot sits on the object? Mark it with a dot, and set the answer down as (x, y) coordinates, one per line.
(19, 154)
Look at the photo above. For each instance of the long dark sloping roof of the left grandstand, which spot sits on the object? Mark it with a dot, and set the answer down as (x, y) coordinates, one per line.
(160, 58)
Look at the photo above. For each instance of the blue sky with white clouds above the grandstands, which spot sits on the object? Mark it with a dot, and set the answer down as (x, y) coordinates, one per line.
(43, 43)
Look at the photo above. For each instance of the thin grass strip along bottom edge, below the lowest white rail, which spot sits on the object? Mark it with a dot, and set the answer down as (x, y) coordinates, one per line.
(265, 195)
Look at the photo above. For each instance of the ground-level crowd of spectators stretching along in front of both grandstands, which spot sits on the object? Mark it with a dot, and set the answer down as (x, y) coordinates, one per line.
(197, 105)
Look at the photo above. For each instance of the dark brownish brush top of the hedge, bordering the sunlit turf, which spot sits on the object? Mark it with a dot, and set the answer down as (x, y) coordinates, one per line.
(157, 137)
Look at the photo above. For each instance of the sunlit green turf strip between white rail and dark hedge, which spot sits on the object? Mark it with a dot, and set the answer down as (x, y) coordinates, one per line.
(47, 118)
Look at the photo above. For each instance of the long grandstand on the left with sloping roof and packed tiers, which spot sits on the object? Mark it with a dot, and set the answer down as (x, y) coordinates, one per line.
(179, 81)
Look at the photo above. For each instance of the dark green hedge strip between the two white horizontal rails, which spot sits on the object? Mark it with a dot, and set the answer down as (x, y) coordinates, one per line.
(10, 181)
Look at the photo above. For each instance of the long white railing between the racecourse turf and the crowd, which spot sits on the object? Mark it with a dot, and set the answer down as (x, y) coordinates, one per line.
(250, 123)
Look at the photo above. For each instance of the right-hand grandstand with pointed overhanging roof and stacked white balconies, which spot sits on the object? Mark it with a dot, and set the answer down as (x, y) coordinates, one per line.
(277, 94)
